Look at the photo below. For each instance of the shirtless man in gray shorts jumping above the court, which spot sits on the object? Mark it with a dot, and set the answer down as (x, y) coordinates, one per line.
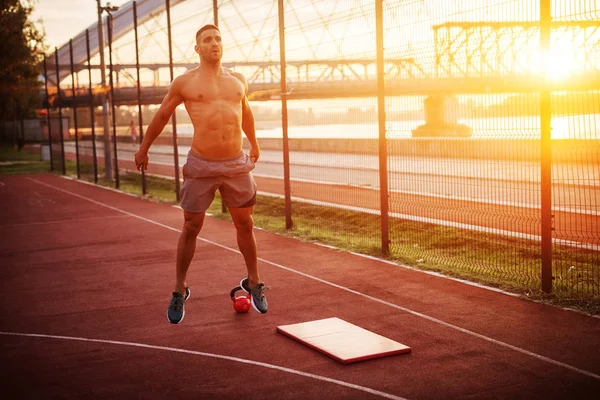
(215, 99)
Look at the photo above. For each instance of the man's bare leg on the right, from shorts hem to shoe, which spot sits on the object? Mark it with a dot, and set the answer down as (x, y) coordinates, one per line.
(244, 225)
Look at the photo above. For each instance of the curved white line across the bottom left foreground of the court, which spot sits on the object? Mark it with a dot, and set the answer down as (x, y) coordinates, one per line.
(217, 356)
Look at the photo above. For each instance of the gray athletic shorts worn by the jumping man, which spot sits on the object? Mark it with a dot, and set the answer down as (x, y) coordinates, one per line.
(231, 176)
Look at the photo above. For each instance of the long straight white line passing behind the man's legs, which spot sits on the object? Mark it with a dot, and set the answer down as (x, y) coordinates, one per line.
(392, 305)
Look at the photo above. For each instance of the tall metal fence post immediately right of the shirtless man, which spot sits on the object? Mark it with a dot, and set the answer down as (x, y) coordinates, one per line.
(284, 118)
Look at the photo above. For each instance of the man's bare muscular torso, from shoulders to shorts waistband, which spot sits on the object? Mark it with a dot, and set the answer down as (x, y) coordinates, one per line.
(214, 104)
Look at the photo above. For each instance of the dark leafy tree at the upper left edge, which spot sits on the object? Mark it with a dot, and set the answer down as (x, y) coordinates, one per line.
(21, 61)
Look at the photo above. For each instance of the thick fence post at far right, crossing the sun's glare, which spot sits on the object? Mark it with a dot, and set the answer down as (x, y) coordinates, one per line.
(546, 148)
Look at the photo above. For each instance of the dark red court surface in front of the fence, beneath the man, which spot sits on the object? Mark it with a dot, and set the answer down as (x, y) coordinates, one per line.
(87, 275)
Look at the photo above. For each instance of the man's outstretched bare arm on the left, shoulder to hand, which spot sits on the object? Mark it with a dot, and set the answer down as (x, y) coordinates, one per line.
(160, 119)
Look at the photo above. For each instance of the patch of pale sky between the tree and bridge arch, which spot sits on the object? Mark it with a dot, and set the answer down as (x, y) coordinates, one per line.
(64, 19)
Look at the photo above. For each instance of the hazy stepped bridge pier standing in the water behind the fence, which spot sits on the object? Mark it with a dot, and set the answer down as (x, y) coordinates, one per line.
(440, 119)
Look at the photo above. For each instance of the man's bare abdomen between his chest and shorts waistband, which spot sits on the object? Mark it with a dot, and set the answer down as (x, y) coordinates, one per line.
(217, 128)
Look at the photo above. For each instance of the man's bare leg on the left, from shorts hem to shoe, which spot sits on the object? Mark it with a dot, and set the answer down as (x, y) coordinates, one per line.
(186, 247)
